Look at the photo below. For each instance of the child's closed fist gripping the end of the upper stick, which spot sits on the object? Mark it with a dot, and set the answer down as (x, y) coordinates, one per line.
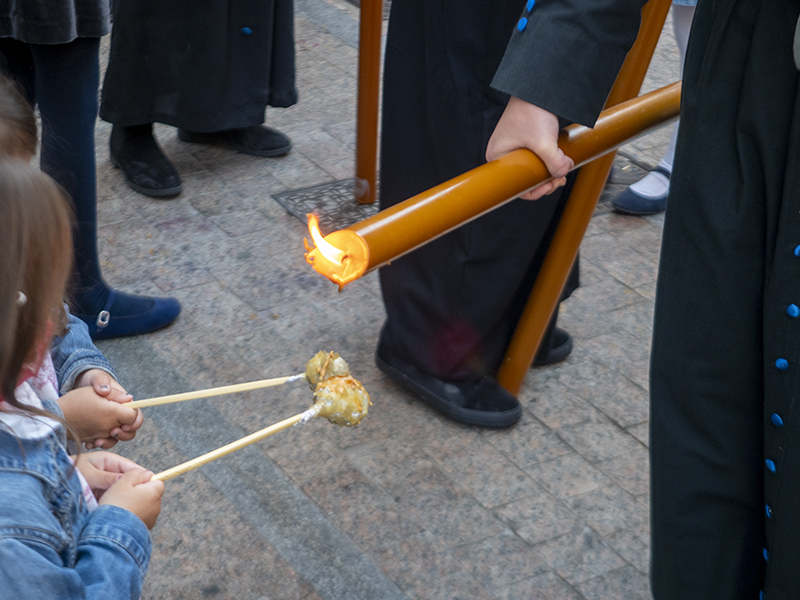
(100, 422)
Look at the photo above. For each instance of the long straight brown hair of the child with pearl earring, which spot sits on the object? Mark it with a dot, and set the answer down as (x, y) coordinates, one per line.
(35, 259)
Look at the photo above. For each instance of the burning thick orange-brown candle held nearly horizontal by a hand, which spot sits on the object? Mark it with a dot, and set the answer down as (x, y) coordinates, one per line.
(389, 234)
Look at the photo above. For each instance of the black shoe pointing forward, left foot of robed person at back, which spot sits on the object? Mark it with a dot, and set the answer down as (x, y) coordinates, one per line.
(146, 168)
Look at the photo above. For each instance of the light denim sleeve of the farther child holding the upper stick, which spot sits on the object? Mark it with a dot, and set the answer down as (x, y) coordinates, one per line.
(75, 353)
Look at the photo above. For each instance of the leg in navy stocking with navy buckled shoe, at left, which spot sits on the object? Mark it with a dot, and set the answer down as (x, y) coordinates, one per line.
(67, 78)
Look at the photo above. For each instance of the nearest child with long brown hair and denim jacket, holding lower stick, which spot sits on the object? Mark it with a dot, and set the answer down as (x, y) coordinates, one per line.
(51, 544)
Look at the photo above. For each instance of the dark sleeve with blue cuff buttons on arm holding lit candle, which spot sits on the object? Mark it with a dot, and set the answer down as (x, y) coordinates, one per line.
(565, 54)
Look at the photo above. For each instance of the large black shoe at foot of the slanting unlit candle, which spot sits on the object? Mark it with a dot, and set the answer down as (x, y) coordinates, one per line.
(482, 402)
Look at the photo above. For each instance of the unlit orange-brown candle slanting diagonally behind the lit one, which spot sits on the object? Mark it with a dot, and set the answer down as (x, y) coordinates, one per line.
(588, 186)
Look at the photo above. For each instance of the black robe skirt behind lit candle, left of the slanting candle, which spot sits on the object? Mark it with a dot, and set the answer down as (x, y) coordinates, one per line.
(452, 305)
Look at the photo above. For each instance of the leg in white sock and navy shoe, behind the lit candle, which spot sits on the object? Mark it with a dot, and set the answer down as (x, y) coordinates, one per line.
(649, 194)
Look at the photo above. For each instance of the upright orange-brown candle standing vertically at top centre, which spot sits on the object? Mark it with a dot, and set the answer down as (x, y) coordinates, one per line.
(369, 73)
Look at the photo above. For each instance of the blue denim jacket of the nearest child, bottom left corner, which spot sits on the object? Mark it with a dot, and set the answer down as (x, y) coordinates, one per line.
(51, 546)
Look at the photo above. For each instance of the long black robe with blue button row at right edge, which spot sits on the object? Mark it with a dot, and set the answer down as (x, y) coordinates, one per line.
(725, 433)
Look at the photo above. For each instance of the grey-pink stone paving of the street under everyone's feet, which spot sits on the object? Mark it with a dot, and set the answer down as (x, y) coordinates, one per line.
(407, 505)
